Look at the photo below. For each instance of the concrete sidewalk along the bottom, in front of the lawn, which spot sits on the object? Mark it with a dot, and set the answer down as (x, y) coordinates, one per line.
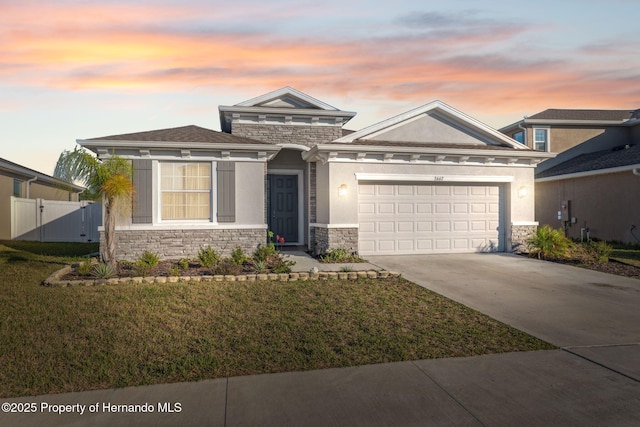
(546, 388)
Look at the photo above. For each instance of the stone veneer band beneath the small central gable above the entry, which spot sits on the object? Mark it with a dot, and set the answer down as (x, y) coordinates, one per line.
(288, 134)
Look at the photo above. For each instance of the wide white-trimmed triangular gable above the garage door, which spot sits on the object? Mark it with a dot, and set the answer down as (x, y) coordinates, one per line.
(434, 123)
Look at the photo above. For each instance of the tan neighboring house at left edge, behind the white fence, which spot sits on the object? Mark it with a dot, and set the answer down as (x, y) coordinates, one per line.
(21, 182)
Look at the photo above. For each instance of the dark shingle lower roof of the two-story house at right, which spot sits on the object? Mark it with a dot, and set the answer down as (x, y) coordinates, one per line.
(606, 159)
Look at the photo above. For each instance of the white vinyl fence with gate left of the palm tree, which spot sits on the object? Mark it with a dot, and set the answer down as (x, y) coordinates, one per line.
(55, 221)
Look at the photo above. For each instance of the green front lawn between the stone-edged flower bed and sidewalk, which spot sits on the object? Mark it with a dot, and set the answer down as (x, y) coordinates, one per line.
(80, 338)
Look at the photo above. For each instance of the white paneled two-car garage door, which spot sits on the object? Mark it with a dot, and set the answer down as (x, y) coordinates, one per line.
(429, 218)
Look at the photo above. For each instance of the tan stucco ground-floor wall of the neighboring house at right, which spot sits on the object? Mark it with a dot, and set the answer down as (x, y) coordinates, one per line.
(606, 204)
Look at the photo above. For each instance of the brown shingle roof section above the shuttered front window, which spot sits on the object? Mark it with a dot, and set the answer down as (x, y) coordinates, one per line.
(181, 134)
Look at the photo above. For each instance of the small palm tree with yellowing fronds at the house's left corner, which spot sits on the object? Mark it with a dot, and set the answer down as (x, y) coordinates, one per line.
(109, 180)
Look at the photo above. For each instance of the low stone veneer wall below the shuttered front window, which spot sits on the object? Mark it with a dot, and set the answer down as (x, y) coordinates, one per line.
(175, 244)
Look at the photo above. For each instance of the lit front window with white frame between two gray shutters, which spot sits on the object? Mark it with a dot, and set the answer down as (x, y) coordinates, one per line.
(185, 191)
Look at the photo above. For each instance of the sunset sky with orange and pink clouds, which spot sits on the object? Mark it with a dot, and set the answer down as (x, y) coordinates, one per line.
(80, 69)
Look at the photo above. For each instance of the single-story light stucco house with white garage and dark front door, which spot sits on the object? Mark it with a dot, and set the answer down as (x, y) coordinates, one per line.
(430, 180)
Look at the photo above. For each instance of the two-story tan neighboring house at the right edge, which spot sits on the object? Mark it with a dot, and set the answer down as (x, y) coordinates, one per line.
(591, 186)
